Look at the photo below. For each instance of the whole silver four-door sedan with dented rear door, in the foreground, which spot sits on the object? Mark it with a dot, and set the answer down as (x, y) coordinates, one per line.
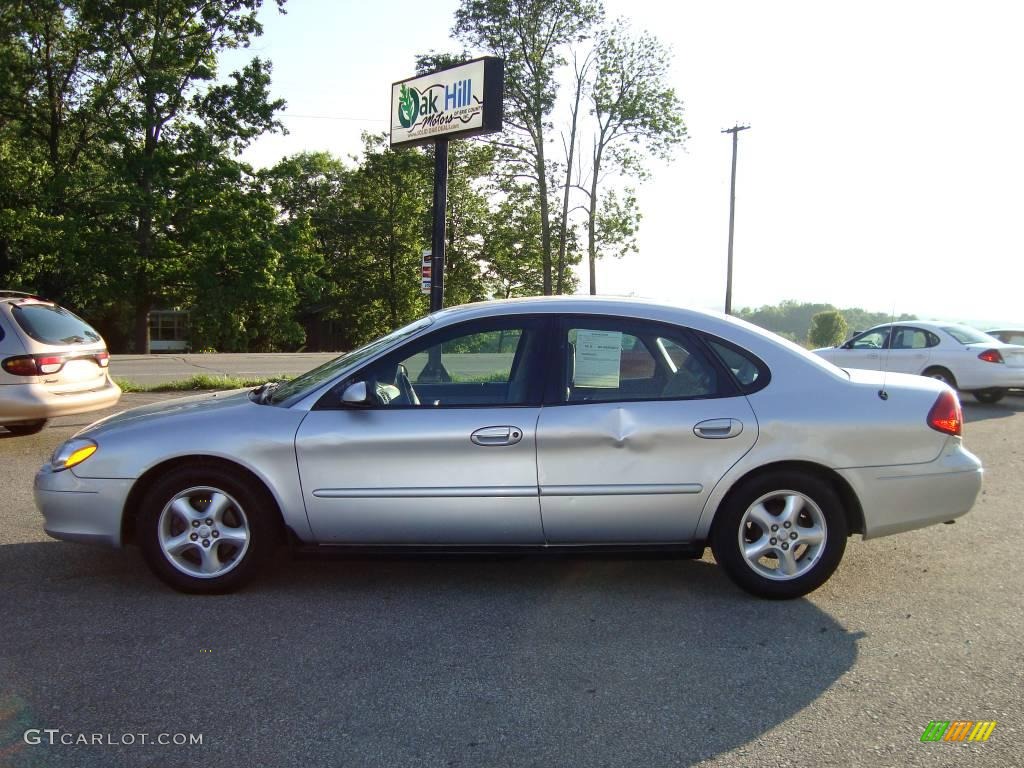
(529, 424)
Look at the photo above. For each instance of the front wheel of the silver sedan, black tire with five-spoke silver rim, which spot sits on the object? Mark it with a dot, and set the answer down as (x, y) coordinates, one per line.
(242, 539)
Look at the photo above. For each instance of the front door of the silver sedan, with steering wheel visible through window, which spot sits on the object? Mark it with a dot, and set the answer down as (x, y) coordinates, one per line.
(443, 452)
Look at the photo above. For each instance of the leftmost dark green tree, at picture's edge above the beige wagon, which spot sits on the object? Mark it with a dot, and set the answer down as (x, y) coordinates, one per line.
(58, 97)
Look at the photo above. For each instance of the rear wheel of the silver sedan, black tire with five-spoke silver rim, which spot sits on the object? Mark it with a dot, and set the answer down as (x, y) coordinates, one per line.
(814, 564)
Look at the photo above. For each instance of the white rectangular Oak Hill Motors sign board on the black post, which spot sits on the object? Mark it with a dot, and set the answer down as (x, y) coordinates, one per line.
(457, 103)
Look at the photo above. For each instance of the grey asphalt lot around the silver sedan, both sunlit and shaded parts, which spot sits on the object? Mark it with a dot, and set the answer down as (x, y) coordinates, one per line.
(520, 662)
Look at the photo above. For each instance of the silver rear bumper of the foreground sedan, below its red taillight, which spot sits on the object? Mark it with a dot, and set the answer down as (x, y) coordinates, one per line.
(907, 497)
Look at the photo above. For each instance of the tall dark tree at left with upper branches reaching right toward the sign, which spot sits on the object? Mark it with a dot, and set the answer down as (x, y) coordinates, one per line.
(169, 53)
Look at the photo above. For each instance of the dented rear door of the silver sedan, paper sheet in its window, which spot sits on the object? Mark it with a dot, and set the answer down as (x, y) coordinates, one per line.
(642, 424)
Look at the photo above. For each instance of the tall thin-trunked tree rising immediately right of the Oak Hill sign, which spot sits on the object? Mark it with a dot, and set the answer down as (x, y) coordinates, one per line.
(531, 36)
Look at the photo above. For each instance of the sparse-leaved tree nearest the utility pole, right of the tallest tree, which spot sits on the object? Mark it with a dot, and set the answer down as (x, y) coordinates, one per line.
(638, 116)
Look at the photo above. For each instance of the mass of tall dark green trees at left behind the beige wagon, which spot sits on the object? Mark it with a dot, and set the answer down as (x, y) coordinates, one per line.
(119, 176)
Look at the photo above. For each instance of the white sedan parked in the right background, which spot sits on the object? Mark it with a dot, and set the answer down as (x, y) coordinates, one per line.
(963, 358)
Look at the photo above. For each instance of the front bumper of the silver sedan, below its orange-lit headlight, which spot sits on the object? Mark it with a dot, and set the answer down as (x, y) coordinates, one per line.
(78, 509)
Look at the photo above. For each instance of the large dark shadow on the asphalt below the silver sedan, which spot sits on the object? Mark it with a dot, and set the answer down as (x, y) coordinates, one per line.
(526, 661)
